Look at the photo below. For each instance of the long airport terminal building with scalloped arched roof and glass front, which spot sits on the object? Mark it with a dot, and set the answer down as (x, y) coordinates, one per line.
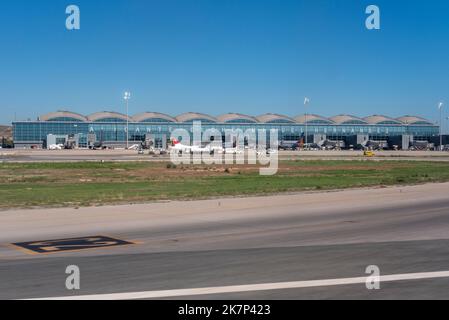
(109, 128)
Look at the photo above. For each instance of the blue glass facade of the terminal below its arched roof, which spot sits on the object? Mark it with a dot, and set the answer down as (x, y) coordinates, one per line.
(114, 130)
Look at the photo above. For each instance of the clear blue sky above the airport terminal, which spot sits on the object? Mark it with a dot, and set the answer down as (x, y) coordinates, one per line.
(217, 56)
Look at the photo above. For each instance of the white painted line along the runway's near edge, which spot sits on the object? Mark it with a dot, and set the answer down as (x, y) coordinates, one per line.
(250, 287)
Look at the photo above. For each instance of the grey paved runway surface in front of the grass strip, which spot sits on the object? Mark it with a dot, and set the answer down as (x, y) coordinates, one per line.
(240, 242)
